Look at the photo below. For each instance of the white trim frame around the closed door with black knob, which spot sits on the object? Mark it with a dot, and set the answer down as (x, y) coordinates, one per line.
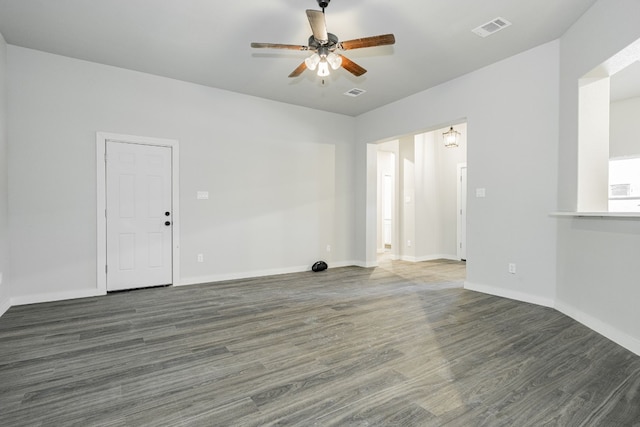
(101, 201)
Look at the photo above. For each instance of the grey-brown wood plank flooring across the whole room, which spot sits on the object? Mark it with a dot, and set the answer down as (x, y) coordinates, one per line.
(399, 345)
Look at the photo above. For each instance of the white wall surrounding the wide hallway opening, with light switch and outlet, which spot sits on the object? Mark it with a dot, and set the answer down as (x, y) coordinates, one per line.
(512, 120)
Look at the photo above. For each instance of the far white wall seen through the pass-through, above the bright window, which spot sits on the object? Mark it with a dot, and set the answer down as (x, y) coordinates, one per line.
(624, 137)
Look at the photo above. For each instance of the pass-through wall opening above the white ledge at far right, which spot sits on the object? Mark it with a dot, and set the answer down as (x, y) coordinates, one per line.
(609, 134)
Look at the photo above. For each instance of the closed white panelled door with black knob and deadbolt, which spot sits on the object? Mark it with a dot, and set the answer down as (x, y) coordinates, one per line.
(138, 215)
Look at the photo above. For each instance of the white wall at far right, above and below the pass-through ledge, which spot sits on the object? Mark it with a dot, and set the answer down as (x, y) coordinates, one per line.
(598, 267)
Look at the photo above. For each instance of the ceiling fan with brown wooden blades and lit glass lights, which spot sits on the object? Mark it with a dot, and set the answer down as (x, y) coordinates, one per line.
(324, 45)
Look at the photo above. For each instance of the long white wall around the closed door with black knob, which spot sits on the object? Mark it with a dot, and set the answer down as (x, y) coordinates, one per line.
(279, 176)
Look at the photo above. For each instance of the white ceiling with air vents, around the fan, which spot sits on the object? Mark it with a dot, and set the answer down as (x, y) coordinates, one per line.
(207, 41)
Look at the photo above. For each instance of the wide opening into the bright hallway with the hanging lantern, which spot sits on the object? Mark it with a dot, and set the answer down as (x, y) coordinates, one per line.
(418, 191)
